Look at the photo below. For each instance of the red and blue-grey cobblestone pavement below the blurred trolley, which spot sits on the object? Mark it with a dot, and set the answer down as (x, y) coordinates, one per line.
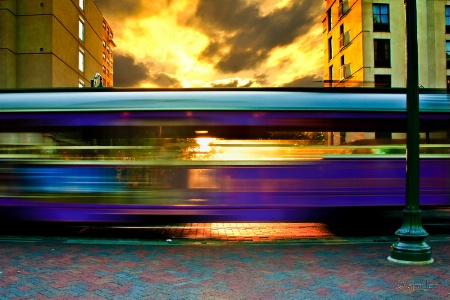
(209, 261)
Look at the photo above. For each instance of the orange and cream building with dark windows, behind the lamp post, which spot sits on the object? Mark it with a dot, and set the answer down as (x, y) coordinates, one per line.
(365, 43)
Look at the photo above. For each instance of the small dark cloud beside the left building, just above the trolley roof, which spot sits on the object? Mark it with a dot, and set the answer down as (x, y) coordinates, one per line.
(128, 72)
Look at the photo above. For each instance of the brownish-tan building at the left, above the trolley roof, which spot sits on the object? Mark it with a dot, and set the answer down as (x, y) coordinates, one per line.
(50, 43)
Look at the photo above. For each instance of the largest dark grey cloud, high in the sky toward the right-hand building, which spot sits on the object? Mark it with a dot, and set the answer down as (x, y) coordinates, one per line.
(241, 37)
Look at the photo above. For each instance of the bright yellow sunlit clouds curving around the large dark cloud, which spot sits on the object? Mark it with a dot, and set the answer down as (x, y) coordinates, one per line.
(164, 45)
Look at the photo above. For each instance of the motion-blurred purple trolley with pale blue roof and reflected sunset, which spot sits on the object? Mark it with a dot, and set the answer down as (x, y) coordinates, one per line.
(101, 155)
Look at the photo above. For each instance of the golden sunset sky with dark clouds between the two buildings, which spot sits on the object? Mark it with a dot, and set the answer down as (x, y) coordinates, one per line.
(216, 43)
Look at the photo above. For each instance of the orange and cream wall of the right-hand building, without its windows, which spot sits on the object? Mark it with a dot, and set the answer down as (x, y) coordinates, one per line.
(359, 53)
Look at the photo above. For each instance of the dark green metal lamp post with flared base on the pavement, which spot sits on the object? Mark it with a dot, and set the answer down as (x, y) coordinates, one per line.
(411, 247)
